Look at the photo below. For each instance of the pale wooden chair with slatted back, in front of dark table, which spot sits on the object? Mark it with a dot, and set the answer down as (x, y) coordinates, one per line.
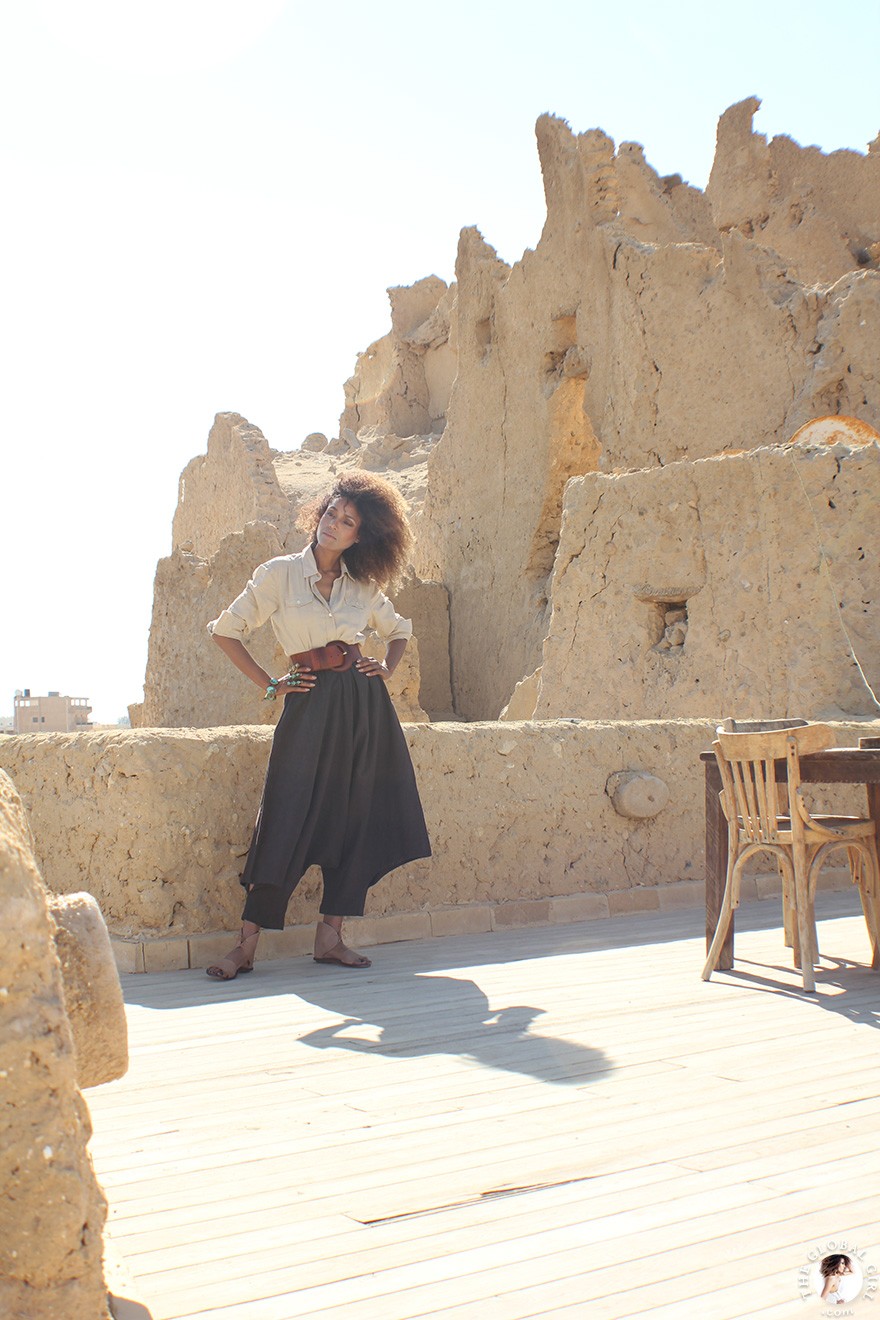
(766, 816)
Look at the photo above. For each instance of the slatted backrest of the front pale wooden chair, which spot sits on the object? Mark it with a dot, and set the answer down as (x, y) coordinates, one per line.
(747, 762)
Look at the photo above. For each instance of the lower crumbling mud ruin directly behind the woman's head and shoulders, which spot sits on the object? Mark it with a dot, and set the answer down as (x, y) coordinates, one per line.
(238, 506)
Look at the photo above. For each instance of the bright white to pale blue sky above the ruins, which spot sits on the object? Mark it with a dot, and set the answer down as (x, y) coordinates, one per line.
(206, 201)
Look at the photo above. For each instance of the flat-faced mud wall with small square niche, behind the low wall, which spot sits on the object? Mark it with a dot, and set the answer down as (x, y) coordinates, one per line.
(774, 555)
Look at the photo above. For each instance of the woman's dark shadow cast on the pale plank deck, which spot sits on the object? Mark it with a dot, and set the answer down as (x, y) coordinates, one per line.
(444, 1016)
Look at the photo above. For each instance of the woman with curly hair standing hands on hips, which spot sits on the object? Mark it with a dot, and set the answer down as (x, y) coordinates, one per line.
(340, 790)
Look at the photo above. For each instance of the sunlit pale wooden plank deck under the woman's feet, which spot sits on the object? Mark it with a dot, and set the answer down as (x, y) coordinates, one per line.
(538, 1123)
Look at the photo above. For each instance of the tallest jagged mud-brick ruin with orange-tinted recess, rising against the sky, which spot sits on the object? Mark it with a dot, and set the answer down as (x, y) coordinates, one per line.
(635, 336)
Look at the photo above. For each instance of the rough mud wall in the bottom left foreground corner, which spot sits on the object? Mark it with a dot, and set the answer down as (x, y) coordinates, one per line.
(52, 1212)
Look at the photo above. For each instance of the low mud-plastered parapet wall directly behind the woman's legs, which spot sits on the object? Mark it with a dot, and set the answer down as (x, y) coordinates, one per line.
(156, 826)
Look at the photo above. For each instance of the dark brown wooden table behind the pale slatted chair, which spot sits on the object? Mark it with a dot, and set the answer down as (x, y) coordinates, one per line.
(836, 766)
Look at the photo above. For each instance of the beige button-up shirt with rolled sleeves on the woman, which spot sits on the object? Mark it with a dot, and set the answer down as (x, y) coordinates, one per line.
(286, 593)
